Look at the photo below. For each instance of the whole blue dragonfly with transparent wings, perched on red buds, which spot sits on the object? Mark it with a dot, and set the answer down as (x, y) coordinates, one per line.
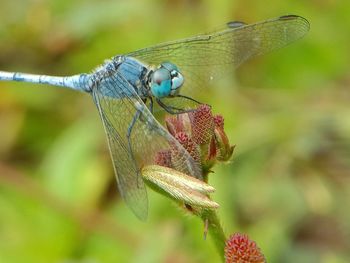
(125, 88)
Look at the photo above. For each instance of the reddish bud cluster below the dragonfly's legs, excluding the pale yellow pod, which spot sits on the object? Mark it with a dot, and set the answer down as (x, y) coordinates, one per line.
(201, 134)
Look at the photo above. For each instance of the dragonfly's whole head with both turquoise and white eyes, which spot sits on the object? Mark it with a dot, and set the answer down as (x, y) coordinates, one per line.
(166, 80)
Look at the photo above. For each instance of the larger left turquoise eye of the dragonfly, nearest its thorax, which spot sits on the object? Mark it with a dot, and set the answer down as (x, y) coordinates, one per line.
(161, 83)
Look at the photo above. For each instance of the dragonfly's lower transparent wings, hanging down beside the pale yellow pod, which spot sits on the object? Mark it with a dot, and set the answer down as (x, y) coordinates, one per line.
(119, 106)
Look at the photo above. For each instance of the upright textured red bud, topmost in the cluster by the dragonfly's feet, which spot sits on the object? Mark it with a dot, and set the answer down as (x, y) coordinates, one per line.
(202, 124)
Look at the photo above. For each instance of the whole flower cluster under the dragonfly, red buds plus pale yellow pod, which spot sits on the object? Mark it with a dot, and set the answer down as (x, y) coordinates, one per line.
(202, 135)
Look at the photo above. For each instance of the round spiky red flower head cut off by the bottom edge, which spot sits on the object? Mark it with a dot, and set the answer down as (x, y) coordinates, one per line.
(240, 249)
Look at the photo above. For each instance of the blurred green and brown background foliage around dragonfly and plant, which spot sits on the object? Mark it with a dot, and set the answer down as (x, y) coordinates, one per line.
(288, 185)
